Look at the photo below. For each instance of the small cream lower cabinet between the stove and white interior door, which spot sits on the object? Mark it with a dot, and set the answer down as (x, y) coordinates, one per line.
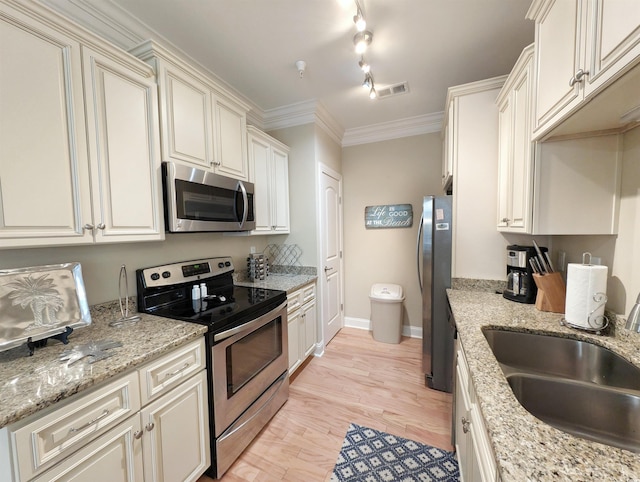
(302, 325)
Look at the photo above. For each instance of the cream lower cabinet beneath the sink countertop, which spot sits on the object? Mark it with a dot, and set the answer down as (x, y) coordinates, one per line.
(475, 457)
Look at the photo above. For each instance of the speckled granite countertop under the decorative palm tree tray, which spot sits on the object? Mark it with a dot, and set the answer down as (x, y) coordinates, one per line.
(29, 384)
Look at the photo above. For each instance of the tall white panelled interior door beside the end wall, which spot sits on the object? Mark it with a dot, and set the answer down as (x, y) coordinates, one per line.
(331, 269)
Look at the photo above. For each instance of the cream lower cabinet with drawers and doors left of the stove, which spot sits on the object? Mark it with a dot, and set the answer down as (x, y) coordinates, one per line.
(148, 425)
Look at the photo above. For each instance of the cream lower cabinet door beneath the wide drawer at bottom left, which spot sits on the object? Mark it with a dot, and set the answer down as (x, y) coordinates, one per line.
(114, 457)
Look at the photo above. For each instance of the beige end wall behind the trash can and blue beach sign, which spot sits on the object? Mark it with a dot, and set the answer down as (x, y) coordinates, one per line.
(390, 172)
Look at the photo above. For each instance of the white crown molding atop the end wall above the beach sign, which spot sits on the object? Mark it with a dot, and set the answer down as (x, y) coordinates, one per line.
(410, 126)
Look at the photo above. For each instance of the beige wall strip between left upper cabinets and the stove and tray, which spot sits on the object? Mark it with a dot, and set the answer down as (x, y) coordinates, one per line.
(101, 264)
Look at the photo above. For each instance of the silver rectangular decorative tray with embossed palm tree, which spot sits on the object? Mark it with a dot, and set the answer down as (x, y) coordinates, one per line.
(40, 302)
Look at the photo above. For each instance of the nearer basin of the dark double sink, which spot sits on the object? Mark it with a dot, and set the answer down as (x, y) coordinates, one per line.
(603, 415)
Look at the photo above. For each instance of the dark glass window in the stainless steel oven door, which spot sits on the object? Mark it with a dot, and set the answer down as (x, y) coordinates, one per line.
(251, 354)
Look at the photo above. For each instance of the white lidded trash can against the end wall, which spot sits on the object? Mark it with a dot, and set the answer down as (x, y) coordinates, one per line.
(386, 312)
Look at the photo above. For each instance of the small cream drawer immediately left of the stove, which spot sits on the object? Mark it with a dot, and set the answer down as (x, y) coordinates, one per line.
(159, 376)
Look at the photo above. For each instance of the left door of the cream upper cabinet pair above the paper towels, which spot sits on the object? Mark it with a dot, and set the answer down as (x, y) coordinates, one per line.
(559, 56)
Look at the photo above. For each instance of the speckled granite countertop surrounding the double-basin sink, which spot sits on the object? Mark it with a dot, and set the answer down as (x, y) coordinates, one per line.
(525, 448)
